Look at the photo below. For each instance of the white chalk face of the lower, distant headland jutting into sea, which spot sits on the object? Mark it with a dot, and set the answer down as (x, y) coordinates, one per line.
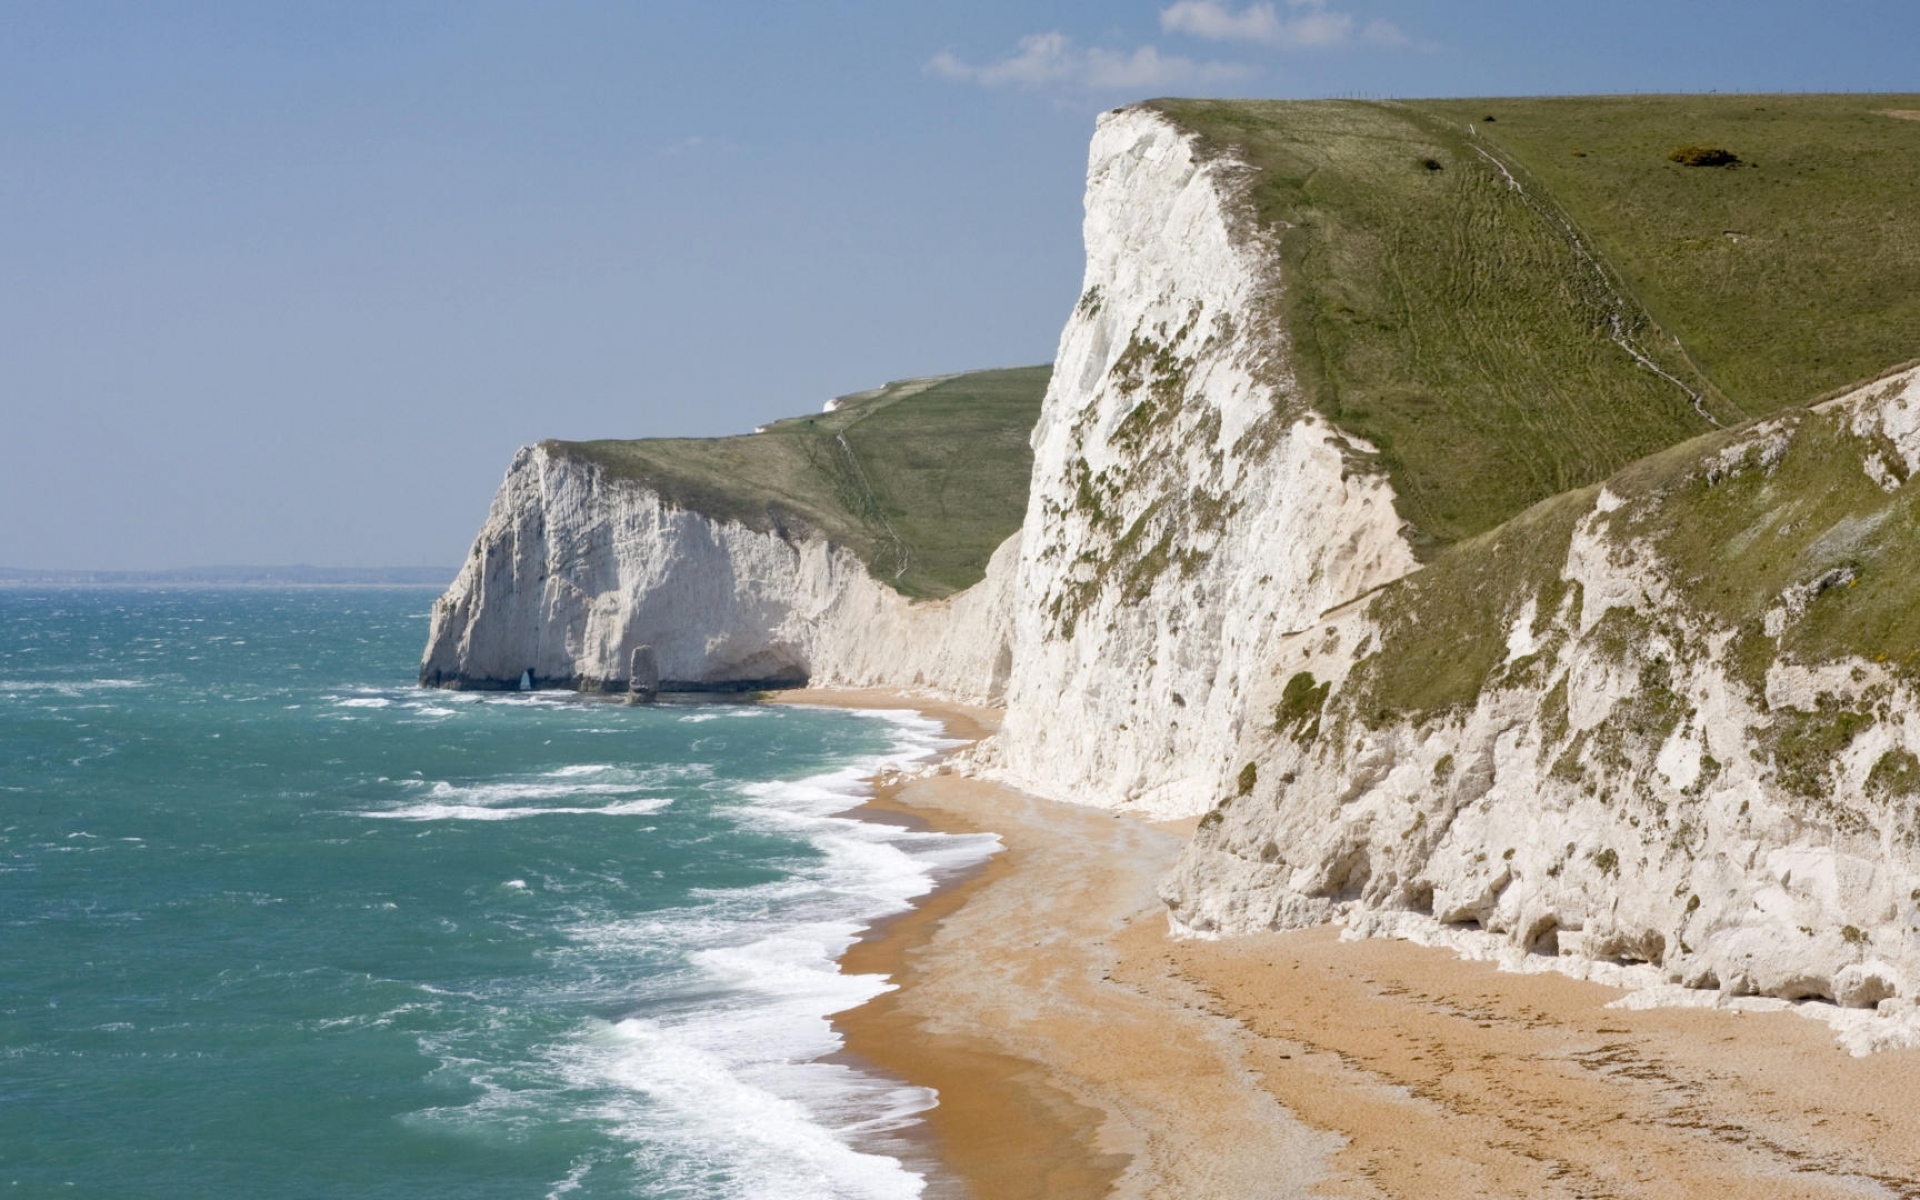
(585, 581)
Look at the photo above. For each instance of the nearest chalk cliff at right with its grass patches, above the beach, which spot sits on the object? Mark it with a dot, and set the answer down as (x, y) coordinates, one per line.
(1664, 765)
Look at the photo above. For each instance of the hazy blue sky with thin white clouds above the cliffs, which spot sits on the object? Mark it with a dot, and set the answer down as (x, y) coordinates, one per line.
(289, 283)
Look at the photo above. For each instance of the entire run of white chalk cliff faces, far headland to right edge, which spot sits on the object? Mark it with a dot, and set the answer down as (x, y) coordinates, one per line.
(1191, 623)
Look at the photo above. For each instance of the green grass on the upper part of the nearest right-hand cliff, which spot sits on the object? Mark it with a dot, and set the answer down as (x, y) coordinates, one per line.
(1735, 523)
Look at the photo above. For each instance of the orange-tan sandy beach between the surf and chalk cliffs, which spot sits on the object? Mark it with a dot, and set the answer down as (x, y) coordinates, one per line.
(1080, 1051)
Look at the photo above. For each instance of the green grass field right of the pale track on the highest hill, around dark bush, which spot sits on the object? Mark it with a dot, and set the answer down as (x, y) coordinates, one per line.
(1788, 276)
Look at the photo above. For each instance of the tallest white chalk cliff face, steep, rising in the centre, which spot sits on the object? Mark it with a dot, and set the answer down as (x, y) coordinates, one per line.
(1188, 508)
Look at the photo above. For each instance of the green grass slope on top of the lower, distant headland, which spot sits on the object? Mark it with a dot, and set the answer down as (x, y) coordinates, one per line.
(923, 479)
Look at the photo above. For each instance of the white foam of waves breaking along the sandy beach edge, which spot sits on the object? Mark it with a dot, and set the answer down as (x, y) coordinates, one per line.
(719, 1082)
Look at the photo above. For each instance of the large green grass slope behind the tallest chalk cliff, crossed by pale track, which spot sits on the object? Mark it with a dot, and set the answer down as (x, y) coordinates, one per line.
(1524, 306)
